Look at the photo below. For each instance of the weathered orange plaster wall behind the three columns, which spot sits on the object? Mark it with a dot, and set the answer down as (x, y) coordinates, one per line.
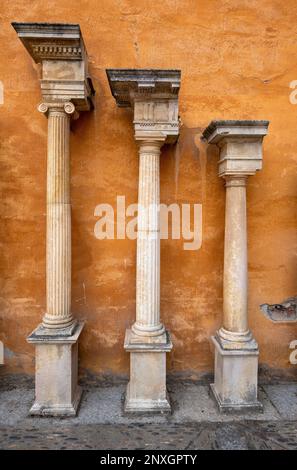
(237, 61)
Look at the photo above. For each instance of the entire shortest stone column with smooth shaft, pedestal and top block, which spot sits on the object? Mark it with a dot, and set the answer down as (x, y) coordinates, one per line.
(236, 351)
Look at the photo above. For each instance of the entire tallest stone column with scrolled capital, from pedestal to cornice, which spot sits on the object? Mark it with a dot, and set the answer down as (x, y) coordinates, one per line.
(66, 90)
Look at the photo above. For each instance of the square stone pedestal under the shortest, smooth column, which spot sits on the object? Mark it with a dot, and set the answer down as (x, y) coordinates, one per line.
(235, 385)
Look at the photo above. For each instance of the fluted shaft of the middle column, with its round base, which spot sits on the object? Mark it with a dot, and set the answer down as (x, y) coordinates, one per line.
(148, 242)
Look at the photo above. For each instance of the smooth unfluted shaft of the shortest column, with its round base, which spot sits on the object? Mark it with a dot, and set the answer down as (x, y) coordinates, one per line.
(235, 315)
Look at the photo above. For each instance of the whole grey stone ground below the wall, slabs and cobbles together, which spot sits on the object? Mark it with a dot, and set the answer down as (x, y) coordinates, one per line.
(194, 424)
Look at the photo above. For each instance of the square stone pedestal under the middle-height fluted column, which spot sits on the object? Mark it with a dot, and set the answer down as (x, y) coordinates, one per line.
(146, 391)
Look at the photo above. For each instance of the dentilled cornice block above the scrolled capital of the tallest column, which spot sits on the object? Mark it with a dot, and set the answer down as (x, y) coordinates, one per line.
(60, 50)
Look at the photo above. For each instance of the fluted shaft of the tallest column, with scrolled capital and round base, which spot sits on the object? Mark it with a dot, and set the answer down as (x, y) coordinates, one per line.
(58, 236)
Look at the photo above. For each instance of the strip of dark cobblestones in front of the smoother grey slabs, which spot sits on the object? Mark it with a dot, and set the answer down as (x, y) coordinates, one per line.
(204, 436)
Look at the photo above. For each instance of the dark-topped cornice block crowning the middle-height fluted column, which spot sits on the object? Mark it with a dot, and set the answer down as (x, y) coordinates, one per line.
(153, 95)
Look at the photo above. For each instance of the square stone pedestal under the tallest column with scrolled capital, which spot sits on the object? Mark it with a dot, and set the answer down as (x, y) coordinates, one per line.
(56, 372)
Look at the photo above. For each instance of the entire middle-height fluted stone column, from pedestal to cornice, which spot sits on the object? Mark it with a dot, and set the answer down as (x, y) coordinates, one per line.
(153, 95)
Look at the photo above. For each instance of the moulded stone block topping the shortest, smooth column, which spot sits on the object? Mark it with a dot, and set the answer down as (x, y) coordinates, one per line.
(240, 144)
